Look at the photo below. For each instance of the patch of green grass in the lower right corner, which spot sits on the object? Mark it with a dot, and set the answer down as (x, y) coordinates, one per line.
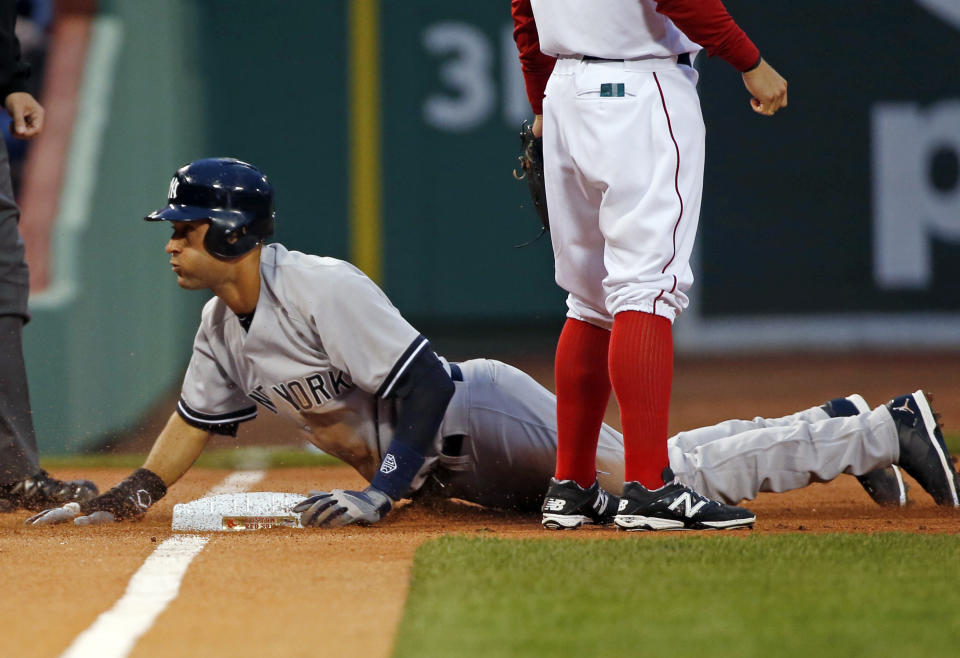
(723, 595)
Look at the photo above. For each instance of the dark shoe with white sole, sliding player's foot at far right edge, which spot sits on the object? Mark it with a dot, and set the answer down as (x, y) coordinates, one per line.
(923, 454)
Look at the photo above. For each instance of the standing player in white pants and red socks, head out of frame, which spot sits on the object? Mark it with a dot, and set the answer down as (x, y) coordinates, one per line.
(614, 92)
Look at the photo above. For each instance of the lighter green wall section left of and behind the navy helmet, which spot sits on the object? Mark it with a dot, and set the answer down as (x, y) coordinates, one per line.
(112, 333)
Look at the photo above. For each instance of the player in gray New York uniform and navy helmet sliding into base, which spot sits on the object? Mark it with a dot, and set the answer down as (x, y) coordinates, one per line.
(315, 340)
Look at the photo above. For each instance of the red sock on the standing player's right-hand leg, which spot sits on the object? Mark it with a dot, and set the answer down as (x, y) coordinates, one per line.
(641, 371)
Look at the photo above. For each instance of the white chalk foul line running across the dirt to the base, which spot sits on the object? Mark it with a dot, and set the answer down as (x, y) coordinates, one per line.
(151, 589)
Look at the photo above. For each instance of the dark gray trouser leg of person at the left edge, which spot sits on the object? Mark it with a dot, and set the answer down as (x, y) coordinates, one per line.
(18, 444)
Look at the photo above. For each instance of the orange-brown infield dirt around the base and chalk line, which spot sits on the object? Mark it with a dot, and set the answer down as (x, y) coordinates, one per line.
(308, 592)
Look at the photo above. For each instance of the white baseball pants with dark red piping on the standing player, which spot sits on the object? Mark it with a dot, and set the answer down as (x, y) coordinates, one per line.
(624, 175)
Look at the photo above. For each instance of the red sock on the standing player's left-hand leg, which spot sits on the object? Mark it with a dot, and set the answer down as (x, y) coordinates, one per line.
(583, 391)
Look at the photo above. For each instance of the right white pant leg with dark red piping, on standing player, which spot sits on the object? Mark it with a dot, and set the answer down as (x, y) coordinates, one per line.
(649, 220)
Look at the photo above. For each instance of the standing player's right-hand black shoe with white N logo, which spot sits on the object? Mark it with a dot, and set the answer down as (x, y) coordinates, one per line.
(676, 507)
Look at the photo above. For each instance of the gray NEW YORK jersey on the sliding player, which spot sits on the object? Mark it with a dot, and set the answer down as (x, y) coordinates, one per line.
(325, 348)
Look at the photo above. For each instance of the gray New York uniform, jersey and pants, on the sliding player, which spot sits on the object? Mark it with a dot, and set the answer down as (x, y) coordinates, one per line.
(326, 346)
